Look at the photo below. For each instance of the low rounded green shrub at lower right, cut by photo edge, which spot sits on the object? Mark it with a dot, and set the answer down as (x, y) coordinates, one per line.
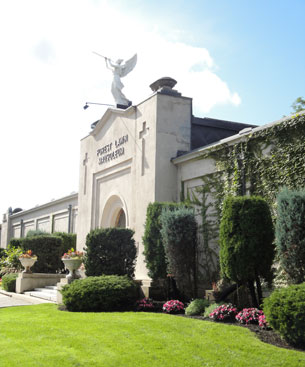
(285, 312)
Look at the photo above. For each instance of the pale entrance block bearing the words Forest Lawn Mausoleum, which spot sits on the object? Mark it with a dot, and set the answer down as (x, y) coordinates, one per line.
(156, 129)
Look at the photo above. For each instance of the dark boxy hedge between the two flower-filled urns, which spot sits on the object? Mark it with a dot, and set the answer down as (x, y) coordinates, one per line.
(47, 248)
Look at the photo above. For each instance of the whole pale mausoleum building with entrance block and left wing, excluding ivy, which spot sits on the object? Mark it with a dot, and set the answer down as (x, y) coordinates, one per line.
(132, 157)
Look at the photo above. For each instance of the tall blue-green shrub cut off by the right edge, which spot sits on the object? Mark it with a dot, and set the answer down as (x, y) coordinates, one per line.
(290, 234)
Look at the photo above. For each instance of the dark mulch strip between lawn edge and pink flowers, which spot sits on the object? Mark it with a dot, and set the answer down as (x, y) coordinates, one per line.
(267, 336)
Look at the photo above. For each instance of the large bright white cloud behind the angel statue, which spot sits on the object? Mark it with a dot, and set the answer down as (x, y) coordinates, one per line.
(48, 72)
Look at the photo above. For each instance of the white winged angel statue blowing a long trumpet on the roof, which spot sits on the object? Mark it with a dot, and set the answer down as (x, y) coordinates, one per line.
(119, 69)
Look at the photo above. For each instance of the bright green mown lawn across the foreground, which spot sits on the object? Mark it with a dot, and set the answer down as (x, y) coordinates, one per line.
(43, 336)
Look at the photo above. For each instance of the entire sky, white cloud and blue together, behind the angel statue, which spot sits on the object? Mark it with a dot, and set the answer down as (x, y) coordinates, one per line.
(239, 60)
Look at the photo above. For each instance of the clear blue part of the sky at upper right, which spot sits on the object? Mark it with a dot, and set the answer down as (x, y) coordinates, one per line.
(258, 47)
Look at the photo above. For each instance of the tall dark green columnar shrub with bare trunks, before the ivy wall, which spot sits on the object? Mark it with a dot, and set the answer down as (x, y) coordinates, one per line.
(246, 242)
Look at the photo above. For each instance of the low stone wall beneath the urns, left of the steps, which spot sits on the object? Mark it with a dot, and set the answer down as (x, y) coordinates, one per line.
(26, 282)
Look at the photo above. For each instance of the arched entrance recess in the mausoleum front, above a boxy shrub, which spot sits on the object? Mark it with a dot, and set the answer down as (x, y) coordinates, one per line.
(114, 213)
